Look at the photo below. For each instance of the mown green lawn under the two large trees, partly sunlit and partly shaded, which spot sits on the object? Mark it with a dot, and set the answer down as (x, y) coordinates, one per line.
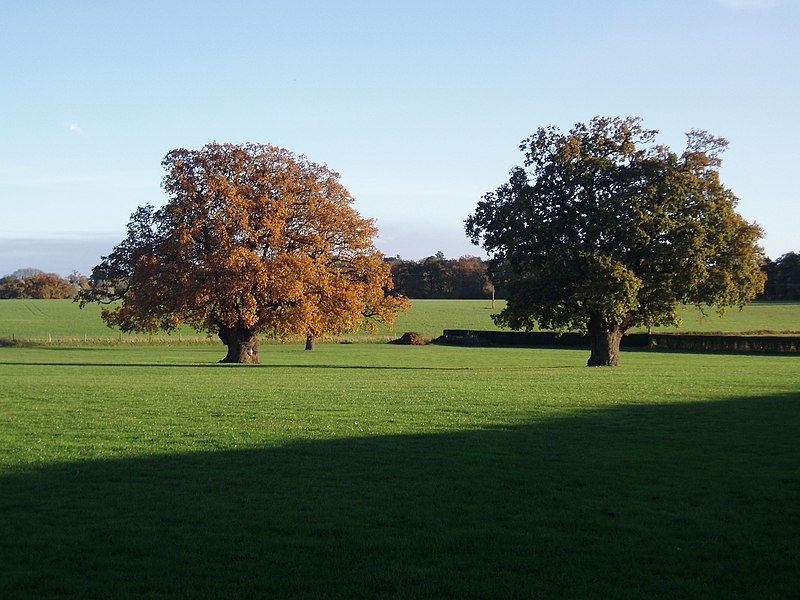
(372, 470)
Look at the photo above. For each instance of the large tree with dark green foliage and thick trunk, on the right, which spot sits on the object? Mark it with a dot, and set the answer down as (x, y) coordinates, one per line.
(602, 230)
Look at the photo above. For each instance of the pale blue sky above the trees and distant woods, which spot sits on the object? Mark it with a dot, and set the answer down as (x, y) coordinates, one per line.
(419, 105)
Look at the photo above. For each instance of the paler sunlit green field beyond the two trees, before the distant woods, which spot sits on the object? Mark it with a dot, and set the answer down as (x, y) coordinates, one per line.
(62, 319)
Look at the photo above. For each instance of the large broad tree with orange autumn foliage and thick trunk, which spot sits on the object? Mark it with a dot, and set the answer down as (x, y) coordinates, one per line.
(253, 241)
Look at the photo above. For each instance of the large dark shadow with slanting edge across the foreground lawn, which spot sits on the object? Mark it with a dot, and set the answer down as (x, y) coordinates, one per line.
(693, 500)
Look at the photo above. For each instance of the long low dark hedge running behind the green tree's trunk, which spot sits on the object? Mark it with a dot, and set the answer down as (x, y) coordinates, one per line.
(669, 341)
